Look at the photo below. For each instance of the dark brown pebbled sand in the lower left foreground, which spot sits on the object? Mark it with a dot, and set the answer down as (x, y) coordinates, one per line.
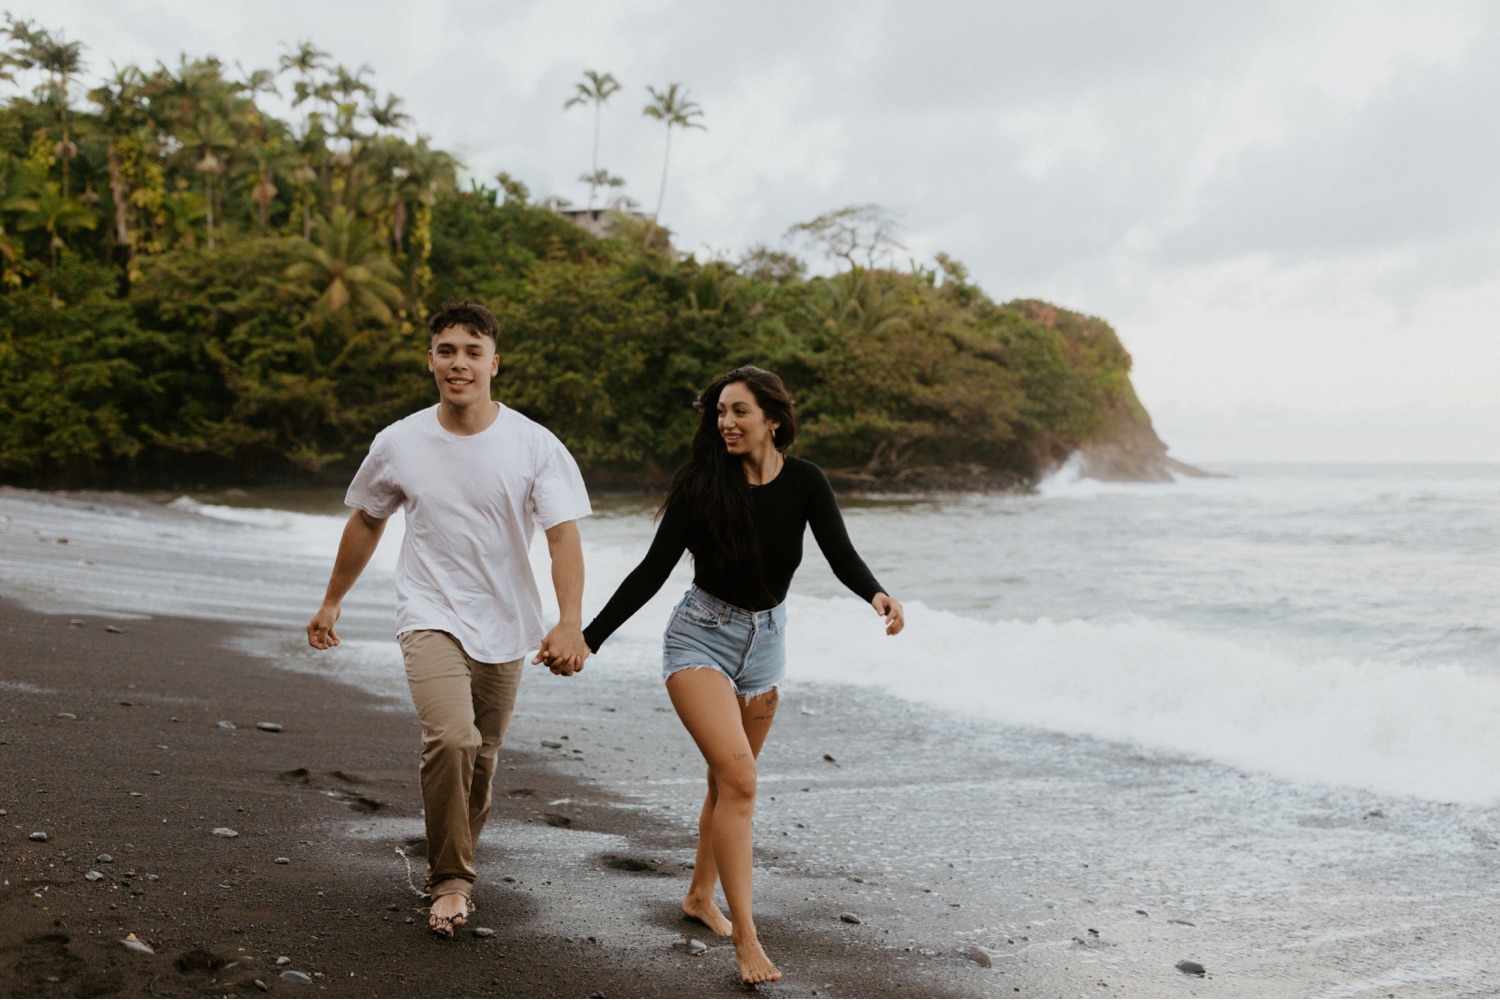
(146, 776)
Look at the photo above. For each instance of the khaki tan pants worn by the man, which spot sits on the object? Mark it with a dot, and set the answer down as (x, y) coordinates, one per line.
(464, 707)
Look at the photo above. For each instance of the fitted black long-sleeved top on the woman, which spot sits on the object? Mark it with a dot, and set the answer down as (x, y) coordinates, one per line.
(799, 497)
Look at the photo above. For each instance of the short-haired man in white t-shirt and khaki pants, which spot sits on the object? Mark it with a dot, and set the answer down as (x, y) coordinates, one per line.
(473, 479)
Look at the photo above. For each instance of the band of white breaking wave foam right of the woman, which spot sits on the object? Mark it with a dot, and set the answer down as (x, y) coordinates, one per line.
(1396, 729)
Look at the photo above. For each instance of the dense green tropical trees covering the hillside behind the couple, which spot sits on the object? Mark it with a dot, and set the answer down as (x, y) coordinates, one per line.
(199, 292)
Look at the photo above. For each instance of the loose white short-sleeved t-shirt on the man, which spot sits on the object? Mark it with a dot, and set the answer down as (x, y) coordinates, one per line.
(472, 504)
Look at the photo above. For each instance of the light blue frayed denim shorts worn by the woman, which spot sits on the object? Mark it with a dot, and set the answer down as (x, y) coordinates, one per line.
(746, 647)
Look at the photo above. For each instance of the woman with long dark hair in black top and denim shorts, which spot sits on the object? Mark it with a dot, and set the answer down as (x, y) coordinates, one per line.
(742, 507)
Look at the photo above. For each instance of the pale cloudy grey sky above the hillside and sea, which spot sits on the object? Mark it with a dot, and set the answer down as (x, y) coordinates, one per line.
(1289, 212)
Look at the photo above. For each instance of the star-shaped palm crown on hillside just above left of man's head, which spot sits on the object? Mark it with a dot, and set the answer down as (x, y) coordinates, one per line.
(349, 271)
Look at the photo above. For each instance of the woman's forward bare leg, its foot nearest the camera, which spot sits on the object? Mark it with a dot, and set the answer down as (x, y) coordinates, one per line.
(706, 702)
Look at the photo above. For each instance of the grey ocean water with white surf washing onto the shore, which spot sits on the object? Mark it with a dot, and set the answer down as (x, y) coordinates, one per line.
(1264, 702)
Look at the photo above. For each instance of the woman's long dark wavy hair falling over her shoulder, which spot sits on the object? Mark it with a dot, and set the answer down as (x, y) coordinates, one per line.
(713, 491)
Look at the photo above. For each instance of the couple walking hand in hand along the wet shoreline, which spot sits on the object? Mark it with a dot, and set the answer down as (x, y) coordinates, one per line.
(475, 479)
